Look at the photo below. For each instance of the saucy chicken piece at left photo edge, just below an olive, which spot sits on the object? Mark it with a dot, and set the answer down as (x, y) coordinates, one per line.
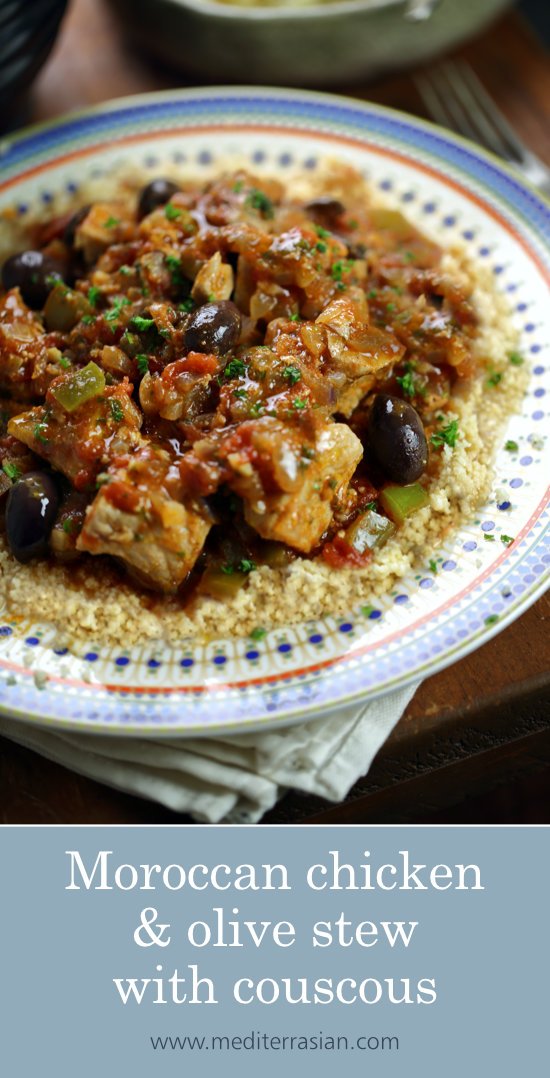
(29, 362)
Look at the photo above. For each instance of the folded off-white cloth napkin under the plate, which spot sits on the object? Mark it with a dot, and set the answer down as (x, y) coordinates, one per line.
(232, 780)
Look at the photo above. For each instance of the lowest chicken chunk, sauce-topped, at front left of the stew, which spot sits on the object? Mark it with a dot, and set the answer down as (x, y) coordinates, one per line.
(141, 517)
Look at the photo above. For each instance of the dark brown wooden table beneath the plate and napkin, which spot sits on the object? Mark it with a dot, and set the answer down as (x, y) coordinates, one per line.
(485, 721)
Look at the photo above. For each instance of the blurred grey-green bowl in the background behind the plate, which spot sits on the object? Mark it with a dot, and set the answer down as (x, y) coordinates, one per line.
(336, 43)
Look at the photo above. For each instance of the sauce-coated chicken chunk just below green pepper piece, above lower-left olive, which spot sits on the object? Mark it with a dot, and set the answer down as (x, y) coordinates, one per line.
(81, 444)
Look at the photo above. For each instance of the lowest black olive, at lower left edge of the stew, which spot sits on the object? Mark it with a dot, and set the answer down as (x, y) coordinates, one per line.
(31, 514)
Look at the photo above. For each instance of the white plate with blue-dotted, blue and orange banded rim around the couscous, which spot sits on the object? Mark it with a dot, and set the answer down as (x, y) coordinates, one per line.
(431, 619)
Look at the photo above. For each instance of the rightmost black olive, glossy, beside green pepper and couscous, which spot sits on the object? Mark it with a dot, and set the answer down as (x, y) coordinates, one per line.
(397, 439)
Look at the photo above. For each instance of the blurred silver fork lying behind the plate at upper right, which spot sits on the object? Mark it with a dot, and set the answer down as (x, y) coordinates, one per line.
(456, 99)
